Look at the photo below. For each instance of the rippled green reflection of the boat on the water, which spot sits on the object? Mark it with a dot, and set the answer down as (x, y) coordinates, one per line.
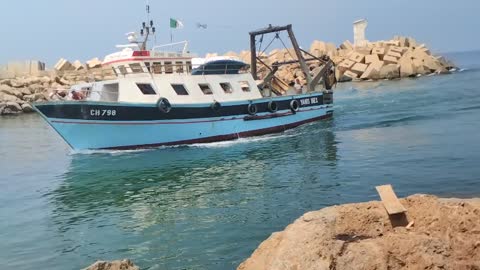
(180, 195)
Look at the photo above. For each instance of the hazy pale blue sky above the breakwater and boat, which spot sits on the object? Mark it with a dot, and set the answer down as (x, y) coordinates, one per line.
(50, 29)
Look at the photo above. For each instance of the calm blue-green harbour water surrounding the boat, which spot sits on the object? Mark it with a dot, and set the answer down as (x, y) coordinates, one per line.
(209, 206)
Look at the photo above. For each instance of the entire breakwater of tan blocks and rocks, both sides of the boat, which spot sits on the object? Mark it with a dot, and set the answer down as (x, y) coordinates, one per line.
(400, 57)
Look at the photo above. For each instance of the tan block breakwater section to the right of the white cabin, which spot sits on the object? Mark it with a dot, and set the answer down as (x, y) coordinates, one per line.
(400, 57)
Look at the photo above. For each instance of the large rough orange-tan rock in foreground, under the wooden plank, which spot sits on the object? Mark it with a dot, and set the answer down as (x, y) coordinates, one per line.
(445, 235)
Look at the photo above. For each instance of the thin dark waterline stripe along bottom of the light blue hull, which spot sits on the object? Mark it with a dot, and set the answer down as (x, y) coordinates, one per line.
(229, 137)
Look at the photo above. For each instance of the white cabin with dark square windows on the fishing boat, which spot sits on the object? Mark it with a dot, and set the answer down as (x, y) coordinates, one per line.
(145, 76)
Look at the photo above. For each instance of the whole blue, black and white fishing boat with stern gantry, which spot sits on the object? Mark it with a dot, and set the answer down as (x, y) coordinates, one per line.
(160, 98)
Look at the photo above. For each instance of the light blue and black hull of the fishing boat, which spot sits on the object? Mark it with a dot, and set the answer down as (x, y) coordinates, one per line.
(91, 125)
